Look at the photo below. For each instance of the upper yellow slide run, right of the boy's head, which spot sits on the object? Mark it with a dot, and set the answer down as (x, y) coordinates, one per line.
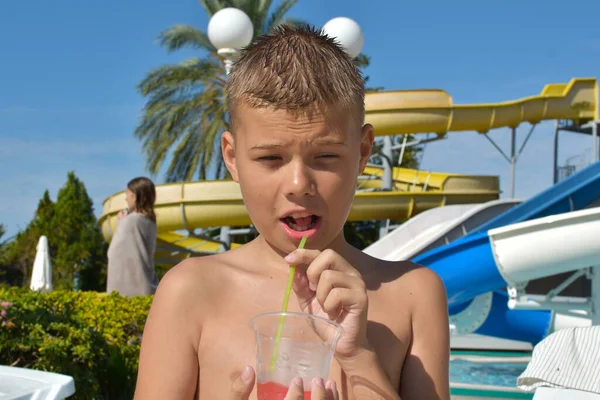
(432, 111)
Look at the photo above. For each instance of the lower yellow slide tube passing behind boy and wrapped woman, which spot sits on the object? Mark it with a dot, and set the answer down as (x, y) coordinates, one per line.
(192, 205)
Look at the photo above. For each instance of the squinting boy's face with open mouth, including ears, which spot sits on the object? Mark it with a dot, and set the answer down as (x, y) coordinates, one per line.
(297, 174)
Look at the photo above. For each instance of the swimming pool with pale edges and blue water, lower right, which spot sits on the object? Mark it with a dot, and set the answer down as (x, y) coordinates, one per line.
(487, 375)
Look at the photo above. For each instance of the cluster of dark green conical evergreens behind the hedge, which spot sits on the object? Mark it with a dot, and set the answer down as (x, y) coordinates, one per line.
(76, 243)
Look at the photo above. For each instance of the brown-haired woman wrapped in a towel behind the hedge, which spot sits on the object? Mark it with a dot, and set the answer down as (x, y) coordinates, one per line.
(131, 269)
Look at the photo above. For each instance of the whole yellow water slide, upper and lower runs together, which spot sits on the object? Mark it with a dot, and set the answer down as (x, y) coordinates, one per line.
(191, 205)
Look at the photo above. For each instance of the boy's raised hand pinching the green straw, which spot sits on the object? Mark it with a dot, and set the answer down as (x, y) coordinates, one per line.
(330, 287)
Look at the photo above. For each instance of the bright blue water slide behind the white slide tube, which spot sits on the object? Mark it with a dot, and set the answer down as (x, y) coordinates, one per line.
(468, 268)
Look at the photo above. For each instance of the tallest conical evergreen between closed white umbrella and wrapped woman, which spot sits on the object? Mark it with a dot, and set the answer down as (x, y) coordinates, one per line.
(79, 246)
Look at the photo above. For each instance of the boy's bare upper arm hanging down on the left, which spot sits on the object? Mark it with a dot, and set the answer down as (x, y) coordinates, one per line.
(168, 358)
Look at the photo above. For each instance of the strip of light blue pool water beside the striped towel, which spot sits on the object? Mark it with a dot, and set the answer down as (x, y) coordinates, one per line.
(503, 374)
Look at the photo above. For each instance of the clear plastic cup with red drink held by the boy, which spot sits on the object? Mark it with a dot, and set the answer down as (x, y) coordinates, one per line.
(305, 349)
